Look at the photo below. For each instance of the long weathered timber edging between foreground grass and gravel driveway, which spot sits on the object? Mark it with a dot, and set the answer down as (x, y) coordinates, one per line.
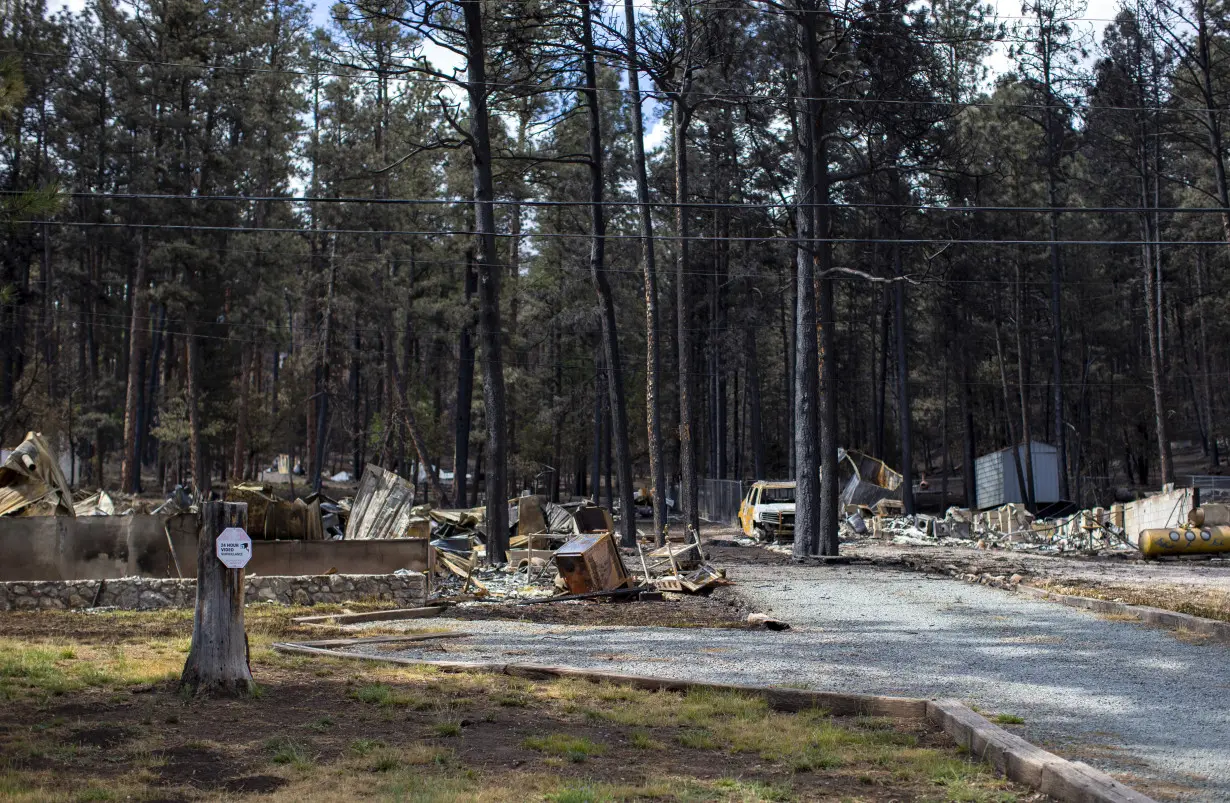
(1012, 756)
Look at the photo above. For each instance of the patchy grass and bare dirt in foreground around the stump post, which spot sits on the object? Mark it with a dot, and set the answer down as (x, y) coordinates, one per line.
(92, 713)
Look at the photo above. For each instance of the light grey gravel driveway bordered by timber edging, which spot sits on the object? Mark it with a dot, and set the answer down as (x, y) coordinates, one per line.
(1120, 697)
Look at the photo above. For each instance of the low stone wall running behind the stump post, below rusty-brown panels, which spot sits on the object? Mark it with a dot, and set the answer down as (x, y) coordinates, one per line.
(143, 593)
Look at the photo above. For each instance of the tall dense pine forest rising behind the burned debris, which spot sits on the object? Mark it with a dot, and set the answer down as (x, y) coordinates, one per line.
(233, 233)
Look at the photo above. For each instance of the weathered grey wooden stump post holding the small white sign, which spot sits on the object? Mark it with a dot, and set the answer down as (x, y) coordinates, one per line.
(218, 661)
